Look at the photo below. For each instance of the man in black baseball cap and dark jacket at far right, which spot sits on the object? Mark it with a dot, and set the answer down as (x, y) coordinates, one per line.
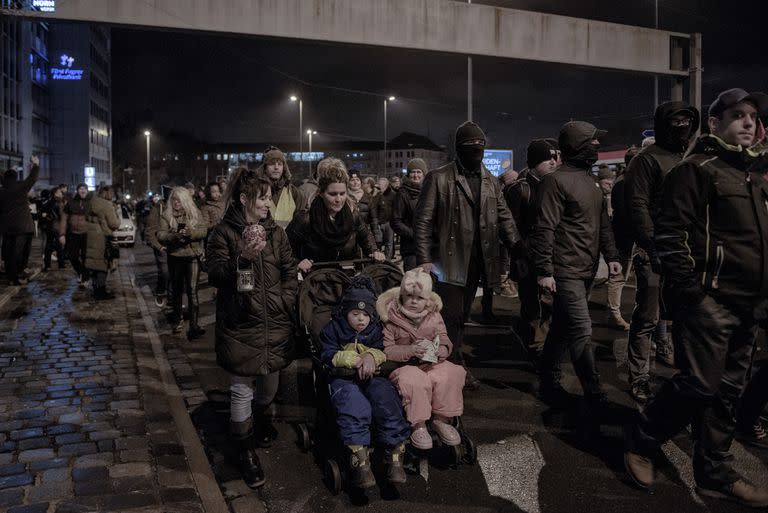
(711, 236)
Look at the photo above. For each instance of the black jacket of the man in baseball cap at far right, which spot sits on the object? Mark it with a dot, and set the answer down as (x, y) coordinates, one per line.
(712, 230)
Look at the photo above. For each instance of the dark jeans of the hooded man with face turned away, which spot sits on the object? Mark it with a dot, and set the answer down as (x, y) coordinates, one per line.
(570, 330)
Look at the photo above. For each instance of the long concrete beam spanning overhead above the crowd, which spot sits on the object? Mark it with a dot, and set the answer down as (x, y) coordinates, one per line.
(430, 25)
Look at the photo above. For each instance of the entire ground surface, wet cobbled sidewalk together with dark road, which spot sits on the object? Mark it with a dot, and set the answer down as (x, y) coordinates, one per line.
(92, 396)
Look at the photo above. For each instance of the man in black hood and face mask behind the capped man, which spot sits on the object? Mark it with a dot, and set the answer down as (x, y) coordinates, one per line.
(674, 125)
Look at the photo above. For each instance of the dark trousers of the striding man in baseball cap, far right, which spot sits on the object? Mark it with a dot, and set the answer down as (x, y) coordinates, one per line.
(714, 344)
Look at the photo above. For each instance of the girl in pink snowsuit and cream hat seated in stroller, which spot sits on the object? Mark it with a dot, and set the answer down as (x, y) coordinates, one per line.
(430, 390)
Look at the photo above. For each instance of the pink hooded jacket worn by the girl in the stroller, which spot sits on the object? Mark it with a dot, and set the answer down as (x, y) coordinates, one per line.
(400, 333)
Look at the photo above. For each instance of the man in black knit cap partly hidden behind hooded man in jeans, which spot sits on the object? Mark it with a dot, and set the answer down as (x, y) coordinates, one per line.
(535, 303)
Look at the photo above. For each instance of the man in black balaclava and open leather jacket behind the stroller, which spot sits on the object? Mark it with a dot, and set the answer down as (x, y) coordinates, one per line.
(460, 217)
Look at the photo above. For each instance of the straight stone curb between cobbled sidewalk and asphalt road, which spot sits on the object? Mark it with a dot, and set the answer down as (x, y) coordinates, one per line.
(202, 474)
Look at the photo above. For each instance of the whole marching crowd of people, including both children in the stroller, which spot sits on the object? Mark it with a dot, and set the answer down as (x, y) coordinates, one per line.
(689, 214)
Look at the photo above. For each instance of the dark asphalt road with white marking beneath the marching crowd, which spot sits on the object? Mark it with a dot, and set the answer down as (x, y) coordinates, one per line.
(530, 458)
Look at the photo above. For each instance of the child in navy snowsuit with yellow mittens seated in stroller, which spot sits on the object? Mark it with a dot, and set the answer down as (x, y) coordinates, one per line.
(353, 340)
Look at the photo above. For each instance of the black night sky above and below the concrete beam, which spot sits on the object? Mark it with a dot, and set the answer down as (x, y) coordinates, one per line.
(235, 89)
